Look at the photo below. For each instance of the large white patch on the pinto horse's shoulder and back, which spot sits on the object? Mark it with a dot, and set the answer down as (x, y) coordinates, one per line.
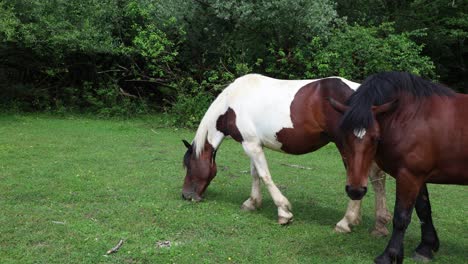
(262, 106)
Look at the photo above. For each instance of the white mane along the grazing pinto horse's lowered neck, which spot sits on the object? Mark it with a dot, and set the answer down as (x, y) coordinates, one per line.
(208, 122)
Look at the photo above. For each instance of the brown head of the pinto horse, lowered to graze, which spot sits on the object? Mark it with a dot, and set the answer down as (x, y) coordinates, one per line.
(200, 171)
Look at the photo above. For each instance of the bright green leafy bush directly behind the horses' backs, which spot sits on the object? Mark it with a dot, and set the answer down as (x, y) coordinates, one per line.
(354, 52)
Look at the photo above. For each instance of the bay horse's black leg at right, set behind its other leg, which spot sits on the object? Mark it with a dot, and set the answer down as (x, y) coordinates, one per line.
(429, 240)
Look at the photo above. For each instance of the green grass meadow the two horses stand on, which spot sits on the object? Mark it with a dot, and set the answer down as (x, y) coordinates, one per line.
(71, 187)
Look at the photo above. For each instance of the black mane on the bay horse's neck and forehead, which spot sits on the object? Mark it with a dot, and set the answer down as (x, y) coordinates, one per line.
(382, 88)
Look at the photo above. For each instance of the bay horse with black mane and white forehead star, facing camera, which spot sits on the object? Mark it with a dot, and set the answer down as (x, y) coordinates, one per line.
(416, 131)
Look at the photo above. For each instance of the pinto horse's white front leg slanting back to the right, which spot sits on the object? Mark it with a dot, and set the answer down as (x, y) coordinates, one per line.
(255, 152)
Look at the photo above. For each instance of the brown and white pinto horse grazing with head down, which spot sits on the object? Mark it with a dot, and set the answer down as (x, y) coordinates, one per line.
(291, 116)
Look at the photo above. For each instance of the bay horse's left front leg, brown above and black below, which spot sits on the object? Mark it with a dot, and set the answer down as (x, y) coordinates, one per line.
(407, 190)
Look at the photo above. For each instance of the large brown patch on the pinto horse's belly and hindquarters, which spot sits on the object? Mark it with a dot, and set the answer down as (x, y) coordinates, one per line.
(315, 123)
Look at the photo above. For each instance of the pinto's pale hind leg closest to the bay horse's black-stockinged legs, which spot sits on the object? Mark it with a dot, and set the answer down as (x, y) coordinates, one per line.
(382, 215)
